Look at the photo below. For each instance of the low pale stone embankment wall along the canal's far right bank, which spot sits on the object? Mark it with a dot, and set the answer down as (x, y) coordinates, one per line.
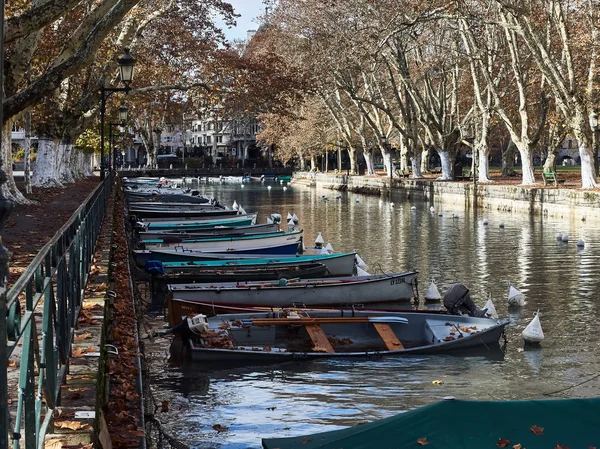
(571, 203)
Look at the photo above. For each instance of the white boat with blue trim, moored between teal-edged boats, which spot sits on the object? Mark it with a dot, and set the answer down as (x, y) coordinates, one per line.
(232, 242)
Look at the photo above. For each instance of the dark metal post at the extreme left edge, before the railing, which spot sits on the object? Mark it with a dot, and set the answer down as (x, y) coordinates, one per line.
(6, 207)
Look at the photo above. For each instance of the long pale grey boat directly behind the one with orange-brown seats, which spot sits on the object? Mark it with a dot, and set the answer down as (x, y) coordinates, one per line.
(333, 292)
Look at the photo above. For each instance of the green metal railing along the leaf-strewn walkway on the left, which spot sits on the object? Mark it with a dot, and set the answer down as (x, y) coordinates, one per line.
(37, 318)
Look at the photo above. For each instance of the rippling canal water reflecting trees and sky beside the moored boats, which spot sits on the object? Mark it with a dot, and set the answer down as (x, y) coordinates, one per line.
(559, 279)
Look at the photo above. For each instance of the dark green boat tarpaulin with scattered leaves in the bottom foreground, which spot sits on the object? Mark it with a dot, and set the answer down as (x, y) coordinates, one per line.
(458, 424)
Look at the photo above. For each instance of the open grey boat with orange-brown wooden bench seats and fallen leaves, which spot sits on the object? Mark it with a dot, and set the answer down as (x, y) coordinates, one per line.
(276, 336)
